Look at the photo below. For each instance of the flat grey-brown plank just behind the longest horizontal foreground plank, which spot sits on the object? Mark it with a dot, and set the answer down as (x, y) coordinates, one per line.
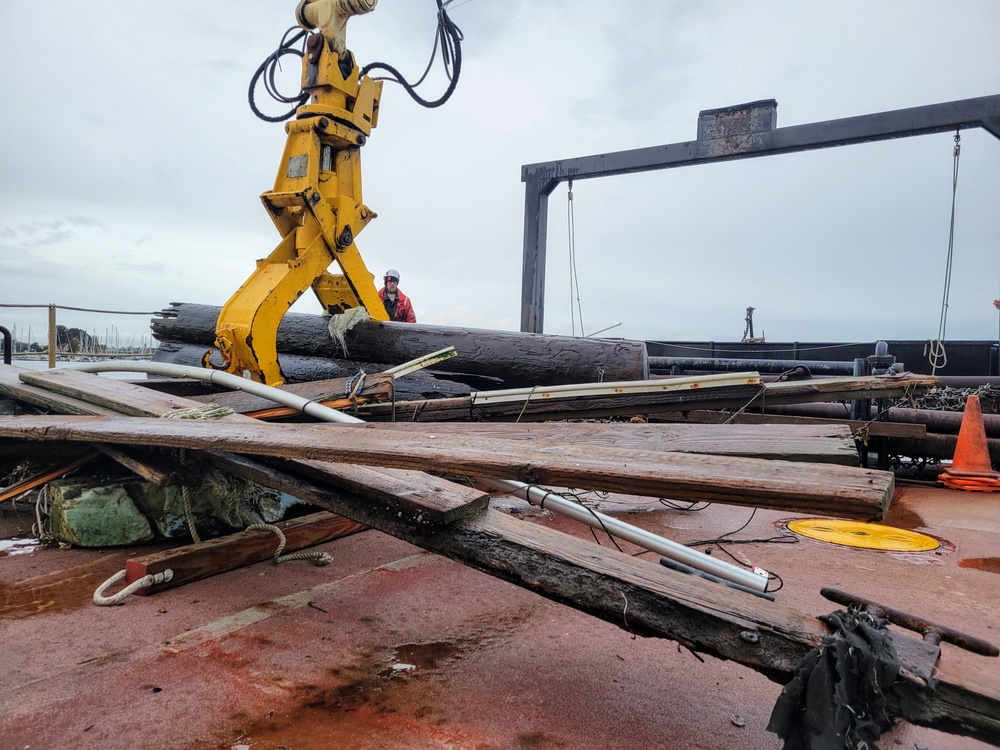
(820, 443)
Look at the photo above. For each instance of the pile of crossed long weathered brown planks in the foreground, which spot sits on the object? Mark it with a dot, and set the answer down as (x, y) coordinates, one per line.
(456, 521)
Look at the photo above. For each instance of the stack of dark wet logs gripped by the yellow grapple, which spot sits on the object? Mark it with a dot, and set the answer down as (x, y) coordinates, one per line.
(485, 359)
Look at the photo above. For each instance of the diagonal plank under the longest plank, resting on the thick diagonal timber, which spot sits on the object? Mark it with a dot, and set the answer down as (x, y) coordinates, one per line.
(435, 500)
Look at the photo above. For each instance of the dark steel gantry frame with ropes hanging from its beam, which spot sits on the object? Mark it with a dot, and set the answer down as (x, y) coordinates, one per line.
(736, 132)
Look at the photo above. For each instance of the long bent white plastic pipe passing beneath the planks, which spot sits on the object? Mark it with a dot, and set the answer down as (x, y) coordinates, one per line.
(533, 494)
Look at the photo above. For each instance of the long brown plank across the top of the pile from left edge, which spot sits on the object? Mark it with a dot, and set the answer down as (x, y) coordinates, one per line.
(782, 485)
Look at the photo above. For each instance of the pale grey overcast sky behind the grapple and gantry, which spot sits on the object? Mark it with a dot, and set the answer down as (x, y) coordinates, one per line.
(131, 164)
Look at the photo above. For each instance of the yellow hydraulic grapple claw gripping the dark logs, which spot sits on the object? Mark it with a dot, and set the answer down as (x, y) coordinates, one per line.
(316, 205)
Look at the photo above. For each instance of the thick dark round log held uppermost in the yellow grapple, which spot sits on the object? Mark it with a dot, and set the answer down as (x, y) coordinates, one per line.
(519, 359)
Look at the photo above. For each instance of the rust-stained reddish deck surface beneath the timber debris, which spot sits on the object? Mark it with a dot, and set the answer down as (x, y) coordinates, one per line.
(393, 647)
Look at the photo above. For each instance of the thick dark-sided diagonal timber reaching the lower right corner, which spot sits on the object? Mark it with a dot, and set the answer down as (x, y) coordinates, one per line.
(649, 600)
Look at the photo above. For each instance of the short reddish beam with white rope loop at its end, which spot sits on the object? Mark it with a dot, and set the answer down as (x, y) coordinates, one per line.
(193, 562)
